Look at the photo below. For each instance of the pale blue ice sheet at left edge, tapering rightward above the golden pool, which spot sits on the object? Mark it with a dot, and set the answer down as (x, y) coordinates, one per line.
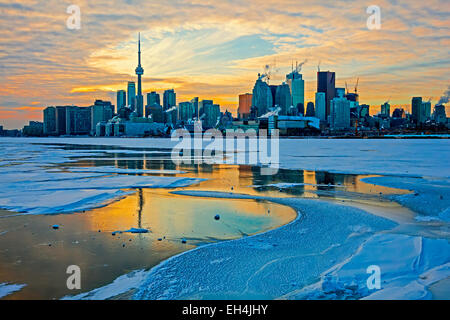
(32, 184)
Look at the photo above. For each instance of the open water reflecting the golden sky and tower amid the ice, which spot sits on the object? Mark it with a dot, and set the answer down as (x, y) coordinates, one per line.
(33, 253)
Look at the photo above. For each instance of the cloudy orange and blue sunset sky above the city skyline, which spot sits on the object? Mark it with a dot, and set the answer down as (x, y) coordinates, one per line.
(215, 49)
